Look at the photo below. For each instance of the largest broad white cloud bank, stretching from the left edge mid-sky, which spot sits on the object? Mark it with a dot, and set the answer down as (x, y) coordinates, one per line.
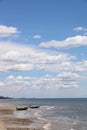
(25, 58)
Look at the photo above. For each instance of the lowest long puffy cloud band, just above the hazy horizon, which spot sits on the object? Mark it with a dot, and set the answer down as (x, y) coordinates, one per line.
(63, 80)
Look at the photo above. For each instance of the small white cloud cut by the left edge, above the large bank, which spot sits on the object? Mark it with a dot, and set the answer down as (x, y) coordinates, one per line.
(6, 31)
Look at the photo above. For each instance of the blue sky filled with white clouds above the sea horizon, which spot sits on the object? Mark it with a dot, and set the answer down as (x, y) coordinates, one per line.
(43, 48)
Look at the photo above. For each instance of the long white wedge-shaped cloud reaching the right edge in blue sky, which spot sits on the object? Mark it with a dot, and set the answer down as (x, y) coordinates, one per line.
(67, 43)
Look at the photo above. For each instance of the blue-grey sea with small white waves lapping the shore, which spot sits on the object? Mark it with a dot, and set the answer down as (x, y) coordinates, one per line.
(53, 114)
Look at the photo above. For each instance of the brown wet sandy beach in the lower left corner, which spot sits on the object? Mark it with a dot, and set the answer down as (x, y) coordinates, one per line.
(9, 122)
